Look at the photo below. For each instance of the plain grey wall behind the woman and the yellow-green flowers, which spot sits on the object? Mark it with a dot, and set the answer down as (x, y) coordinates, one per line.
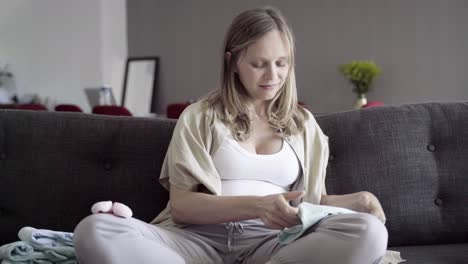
(419, 44)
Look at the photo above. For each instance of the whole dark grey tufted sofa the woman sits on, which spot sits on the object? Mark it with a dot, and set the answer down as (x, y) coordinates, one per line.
(414, 158)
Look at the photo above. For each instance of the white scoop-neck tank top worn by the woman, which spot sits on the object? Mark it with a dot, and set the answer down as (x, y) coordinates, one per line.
(246, 173)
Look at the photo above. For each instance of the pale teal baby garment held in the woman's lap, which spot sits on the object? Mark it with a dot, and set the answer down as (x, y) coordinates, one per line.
(309, 214)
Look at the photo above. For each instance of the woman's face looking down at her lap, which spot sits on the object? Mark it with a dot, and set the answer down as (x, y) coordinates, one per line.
(263, 67)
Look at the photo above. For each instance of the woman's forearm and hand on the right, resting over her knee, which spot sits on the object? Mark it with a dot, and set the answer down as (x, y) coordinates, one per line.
(364, 202)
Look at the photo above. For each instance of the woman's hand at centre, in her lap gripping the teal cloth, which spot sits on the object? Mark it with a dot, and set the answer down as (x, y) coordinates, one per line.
(276, 212)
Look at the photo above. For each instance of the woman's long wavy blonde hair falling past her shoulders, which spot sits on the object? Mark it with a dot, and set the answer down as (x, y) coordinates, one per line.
(230, 101)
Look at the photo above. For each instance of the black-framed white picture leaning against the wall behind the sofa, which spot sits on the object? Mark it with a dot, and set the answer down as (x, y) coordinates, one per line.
(140, 85)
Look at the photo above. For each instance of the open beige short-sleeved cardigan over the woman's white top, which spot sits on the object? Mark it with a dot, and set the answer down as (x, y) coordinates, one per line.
(199, 132)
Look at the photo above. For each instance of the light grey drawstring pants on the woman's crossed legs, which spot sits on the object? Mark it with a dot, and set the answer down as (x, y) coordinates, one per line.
(345, 239)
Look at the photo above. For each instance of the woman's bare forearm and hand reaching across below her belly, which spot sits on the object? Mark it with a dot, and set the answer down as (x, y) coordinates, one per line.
(189, 207)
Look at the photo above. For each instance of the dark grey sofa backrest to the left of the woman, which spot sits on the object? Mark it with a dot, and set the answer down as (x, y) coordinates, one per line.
(55, 165)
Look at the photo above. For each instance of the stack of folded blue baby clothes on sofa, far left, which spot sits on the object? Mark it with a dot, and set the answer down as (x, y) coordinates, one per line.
(39, 246)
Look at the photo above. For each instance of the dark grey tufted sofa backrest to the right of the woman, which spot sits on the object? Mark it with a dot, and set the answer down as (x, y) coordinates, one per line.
(414, 158)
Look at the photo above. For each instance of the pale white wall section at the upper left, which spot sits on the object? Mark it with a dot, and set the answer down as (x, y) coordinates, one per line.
(56, 48)
